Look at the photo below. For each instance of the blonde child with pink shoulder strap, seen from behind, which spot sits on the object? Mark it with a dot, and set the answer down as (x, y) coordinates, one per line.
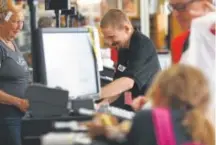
(180, 96)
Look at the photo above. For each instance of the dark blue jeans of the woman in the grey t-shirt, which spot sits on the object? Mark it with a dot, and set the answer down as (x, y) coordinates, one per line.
(10, 131)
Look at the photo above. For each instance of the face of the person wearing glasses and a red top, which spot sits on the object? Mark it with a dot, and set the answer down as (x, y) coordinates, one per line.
(186, 10)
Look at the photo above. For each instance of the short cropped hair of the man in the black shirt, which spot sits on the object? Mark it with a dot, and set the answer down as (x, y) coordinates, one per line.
(114, 18)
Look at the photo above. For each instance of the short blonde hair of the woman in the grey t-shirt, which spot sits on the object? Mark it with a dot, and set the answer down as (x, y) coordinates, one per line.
(7, 6)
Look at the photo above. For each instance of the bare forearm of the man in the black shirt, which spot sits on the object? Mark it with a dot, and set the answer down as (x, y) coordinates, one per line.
(117, 87)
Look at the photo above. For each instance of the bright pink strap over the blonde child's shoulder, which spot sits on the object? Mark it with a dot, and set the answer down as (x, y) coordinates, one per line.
(163, 127)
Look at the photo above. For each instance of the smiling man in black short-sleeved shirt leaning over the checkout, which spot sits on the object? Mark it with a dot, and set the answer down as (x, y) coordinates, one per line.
(137, 61)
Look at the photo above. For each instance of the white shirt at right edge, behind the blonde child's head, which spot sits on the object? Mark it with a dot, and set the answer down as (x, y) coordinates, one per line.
(201, 53)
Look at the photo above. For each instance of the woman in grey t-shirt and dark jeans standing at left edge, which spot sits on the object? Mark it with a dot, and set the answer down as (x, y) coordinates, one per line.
(14, 76)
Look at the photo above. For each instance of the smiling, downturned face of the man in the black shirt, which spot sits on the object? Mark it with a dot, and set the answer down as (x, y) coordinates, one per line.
(116, 38)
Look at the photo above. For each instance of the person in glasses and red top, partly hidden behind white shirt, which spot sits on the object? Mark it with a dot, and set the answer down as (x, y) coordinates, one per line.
(185, 11)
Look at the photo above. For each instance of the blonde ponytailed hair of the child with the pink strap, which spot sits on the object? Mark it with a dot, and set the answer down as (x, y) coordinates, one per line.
(185, 87)
